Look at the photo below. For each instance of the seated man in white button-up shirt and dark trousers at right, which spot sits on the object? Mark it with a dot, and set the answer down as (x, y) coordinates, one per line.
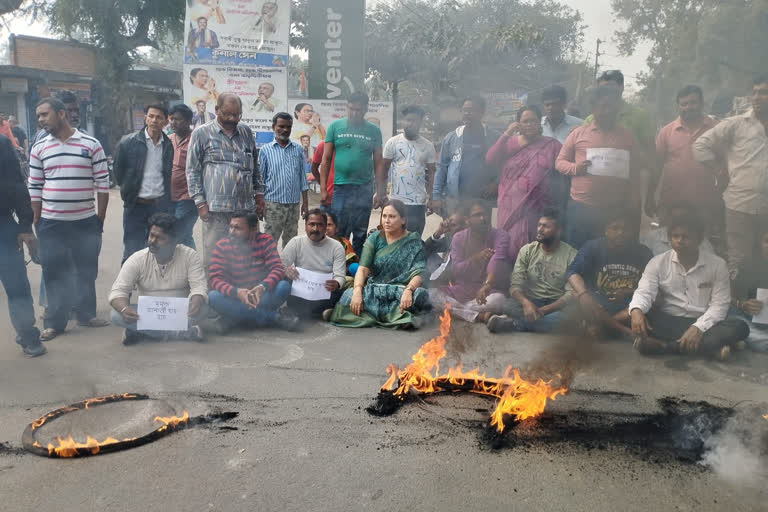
(682, 300)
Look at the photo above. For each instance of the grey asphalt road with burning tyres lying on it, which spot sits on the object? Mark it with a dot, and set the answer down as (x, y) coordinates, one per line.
(303, 441)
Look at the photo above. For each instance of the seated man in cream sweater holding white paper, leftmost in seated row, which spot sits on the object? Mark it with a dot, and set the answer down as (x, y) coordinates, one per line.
(165, 271)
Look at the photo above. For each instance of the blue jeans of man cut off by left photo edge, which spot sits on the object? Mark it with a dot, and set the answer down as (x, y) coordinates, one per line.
(13, 274)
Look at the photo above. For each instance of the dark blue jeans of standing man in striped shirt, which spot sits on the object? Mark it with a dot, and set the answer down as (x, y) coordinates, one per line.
(78, 241)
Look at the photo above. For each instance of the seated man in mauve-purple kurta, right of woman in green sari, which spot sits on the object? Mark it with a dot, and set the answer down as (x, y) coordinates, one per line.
(478, 264)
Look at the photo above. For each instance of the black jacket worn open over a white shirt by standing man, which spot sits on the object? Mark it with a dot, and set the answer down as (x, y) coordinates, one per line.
(128, 165)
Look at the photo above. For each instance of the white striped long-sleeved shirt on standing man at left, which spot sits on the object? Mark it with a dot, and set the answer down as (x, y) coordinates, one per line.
(63, 175)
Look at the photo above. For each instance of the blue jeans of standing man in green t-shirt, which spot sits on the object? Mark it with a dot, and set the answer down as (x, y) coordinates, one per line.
(352, 206)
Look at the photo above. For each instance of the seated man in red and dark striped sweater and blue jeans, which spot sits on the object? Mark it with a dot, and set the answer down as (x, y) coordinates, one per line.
(246, 278)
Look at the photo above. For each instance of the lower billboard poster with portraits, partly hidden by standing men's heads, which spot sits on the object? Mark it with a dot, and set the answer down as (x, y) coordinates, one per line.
(263, 92)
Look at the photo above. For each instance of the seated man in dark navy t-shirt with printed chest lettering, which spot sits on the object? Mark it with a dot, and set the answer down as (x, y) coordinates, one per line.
(604, 275)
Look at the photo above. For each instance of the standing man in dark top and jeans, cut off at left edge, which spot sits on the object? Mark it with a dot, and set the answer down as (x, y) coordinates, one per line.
(14, 234)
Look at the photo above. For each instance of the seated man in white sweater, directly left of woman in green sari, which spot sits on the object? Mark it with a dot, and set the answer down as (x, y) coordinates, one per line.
(319, 253)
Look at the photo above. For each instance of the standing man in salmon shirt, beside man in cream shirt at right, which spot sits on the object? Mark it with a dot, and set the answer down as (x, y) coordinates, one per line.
(683, 178)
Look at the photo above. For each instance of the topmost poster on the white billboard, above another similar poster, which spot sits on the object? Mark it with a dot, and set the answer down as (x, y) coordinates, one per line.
(237, 32)
